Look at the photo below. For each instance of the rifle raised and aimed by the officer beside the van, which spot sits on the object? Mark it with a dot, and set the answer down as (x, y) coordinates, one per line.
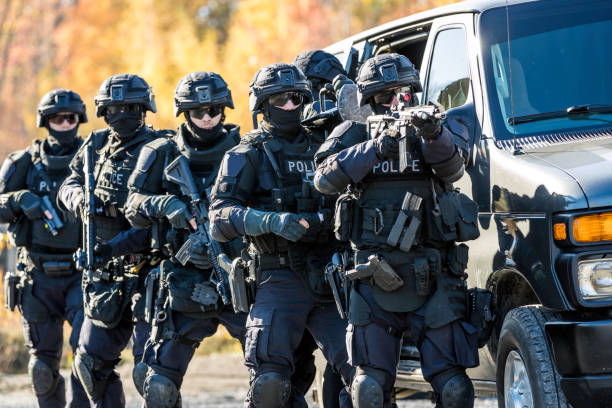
(400, 123)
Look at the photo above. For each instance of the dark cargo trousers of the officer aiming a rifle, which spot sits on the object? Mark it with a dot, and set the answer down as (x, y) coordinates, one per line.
(441, 349)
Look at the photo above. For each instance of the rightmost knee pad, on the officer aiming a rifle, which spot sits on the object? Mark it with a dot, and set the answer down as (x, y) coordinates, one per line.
(453, 389)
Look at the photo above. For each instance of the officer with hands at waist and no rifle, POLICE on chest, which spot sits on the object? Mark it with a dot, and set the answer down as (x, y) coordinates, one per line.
(264, 193)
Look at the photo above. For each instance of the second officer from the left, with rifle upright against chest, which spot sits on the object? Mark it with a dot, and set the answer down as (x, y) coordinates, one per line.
(114, 308)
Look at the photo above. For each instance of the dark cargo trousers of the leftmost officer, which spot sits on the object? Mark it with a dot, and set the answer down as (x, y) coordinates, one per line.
(44, 336)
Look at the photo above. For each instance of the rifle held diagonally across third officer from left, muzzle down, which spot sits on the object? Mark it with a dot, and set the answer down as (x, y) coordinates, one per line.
(178, 172)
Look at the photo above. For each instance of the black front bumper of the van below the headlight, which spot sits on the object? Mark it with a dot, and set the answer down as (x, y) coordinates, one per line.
(582, 353)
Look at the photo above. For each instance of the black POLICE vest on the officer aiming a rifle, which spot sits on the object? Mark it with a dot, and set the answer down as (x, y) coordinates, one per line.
(381, 194)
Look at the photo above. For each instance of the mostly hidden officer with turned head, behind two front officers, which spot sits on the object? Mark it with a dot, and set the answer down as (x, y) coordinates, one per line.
(320, 68)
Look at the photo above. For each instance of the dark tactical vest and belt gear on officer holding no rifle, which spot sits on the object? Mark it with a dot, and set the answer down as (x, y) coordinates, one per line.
(285, 185)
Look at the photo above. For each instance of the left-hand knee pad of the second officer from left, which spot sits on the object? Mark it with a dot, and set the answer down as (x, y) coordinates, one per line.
(88, 369)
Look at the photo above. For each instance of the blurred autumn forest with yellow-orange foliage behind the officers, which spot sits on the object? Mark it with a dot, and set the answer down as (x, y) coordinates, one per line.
(76, 44)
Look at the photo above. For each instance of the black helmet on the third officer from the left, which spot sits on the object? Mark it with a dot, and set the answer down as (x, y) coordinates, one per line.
(199, 89)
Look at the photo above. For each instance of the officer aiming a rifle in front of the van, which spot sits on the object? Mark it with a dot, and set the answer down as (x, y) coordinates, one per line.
(418, 287)
